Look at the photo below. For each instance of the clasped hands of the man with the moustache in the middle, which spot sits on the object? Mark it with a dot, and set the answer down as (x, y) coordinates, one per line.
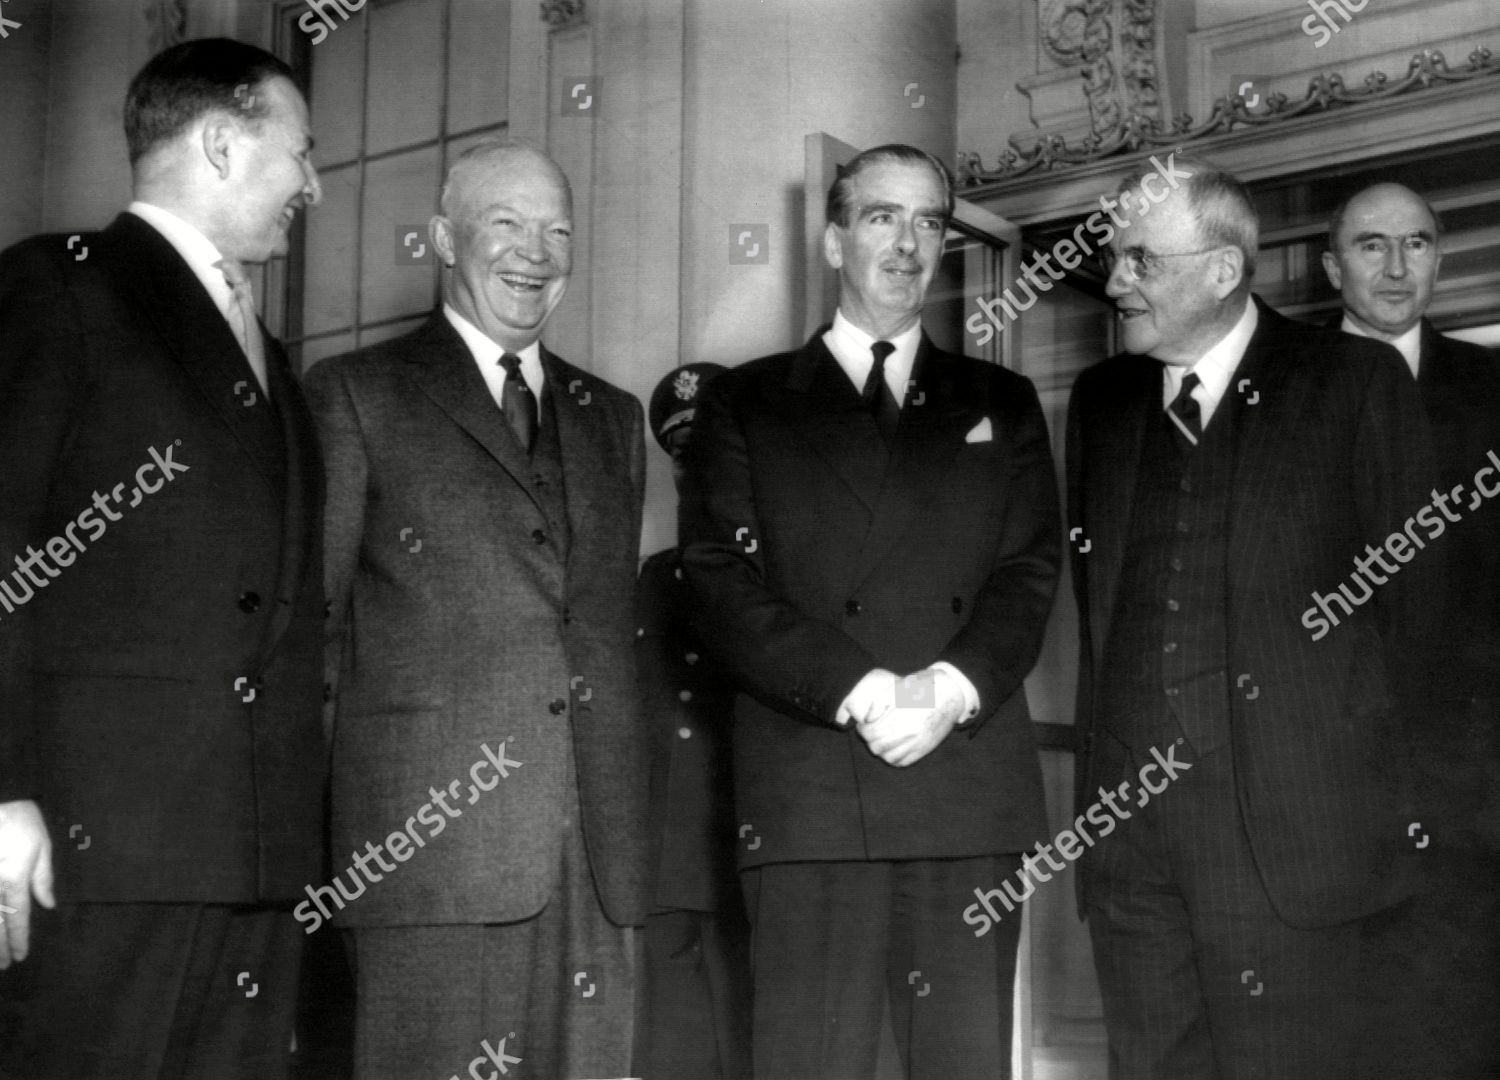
(902, 734)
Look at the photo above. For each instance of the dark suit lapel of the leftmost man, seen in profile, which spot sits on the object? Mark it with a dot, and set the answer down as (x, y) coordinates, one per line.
(197, 337)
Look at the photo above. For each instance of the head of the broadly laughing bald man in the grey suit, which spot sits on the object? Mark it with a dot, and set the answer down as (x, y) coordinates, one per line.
(506, 232)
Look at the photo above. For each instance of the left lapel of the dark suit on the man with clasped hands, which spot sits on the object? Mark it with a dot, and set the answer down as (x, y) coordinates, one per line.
(823, 407)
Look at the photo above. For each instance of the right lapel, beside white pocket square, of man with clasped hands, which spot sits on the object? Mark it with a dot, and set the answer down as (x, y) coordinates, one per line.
(932, 430)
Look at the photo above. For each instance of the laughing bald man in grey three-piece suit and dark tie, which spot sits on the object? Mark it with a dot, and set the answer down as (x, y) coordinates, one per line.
(482, 535)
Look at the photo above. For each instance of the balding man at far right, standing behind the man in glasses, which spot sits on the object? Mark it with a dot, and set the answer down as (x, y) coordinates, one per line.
(1439, 964)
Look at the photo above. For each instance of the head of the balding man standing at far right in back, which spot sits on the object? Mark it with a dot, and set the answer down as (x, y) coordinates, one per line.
(1384, 259)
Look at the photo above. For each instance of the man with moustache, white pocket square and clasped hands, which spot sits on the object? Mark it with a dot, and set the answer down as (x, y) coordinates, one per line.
(857, 509)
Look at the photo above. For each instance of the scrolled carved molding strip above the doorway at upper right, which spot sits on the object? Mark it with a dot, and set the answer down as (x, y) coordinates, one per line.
(1135, 133)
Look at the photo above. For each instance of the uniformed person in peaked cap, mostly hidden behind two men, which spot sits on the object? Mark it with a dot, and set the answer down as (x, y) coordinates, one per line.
(697, 940)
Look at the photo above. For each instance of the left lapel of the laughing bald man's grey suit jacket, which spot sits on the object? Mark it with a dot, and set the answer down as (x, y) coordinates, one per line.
(445, 370)
